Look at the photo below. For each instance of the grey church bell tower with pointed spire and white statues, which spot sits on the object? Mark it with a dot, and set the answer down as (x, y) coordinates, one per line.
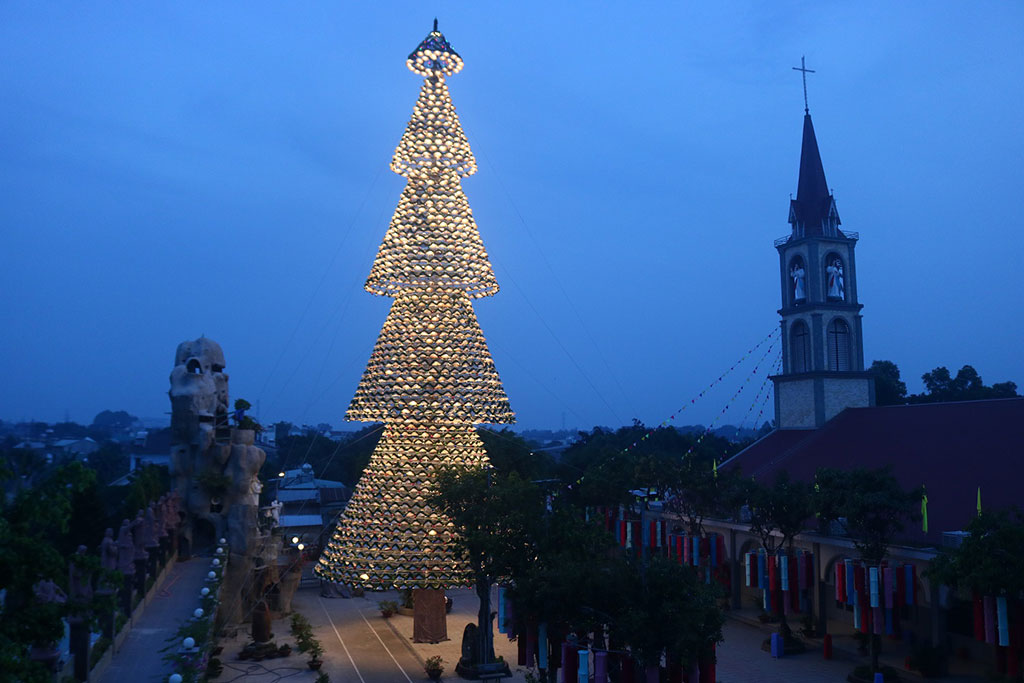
(823, 339)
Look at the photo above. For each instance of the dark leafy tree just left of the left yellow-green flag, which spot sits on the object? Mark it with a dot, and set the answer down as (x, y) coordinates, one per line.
(873, 507)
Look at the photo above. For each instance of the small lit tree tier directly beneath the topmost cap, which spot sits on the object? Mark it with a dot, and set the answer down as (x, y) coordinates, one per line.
(434, 139)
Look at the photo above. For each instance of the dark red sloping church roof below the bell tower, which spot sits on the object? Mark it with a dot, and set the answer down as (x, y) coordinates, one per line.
(952, 449)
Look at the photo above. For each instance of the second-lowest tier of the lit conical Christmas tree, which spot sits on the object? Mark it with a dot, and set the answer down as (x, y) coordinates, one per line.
(432, 363)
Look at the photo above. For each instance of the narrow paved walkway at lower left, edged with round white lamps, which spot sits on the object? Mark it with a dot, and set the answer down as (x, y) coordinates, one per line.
(140, 659)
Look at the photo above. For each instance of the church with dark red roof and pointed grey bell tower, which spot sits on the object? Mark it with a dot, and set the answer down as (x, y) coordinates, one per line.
(826, 416)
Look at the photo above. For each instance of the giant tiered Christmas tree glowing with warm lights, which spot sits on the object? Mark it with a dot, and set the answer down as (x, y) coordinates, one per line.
(431, 377)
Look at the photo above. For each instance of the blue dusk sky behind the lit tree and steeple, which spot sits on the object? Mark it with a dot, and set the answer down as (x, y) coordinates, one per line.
(177, 169)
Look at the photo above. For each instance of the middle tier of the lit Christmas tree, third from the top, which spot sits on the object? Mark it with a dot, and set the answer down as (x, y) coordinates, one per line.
(433, 241)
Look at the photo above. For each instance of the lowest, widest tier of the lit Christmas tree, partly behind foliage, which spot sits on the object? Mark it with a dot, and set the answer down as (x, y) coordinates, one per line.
(389, 537)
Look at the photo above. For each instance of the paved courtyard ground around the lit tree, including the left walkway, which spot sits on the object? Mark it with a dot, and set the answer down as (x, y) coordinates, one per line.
(363, 648)
